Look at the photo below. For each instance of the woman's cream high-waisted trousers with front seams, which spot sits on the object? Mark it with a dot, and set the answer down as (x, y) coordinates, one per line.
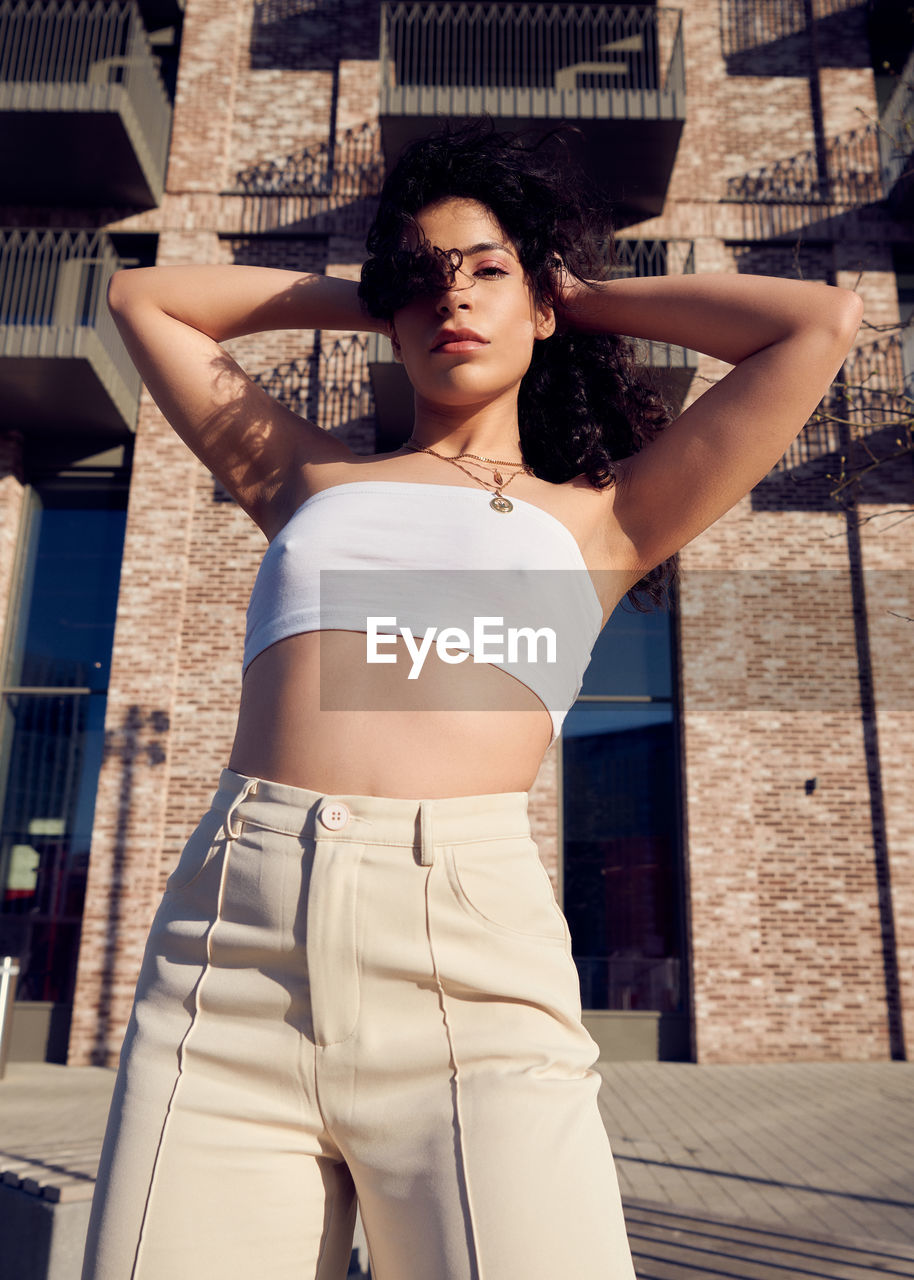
(358, 998)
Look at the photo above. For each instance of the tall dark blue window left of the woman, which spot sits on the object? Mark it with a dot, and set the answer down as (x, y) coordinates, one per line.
(52, 723)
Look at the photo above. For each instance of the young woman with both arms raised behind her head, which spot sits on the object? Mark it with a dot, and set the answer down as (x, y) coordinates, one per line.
(359, 985)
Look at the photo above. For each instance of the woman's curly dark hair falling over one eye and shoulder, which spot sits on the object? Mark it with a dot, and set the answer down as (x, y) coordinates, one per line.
(591, 385)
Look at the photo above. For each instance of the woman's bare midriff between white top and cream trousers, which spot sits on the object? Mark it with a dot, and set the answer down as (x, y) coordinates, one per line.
(314, 715)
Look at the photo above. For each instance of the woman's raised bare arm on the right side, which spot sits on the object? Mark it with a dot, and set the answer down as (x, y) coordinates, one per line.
(787, 341)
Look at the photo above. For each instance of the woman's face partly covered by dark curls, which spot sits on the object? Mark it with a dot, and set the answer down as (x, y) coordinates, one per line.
(488, 314)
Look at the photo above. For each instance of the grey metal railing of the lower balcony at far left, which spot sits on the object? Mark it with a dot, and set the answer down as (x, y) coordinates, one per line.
(53, 304)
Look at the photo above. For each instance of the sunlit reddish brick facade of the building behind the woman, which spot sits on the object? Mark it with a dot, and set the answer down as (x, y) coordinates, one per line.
(801, 903)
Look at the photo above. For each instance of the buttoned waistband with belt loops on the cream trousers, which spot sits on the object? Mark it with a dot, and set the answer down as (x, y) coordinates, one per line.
(419, 825)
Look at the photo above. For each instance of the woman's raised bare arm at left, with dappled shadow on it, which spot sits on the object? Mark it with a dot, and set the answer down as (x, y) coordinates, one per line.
(173, 321)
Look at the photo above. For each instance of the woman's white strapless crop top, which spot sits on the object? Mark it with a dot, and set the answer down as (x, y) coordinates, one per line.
(449, 560)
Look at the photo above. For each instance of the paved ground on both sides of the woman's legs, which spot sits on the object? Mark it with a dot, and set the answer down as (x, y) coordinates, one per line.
(758, 1173)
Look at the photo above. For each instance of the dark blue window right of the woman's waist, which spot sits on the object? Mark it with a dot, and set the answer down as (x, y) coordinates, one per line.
(623, 883)
